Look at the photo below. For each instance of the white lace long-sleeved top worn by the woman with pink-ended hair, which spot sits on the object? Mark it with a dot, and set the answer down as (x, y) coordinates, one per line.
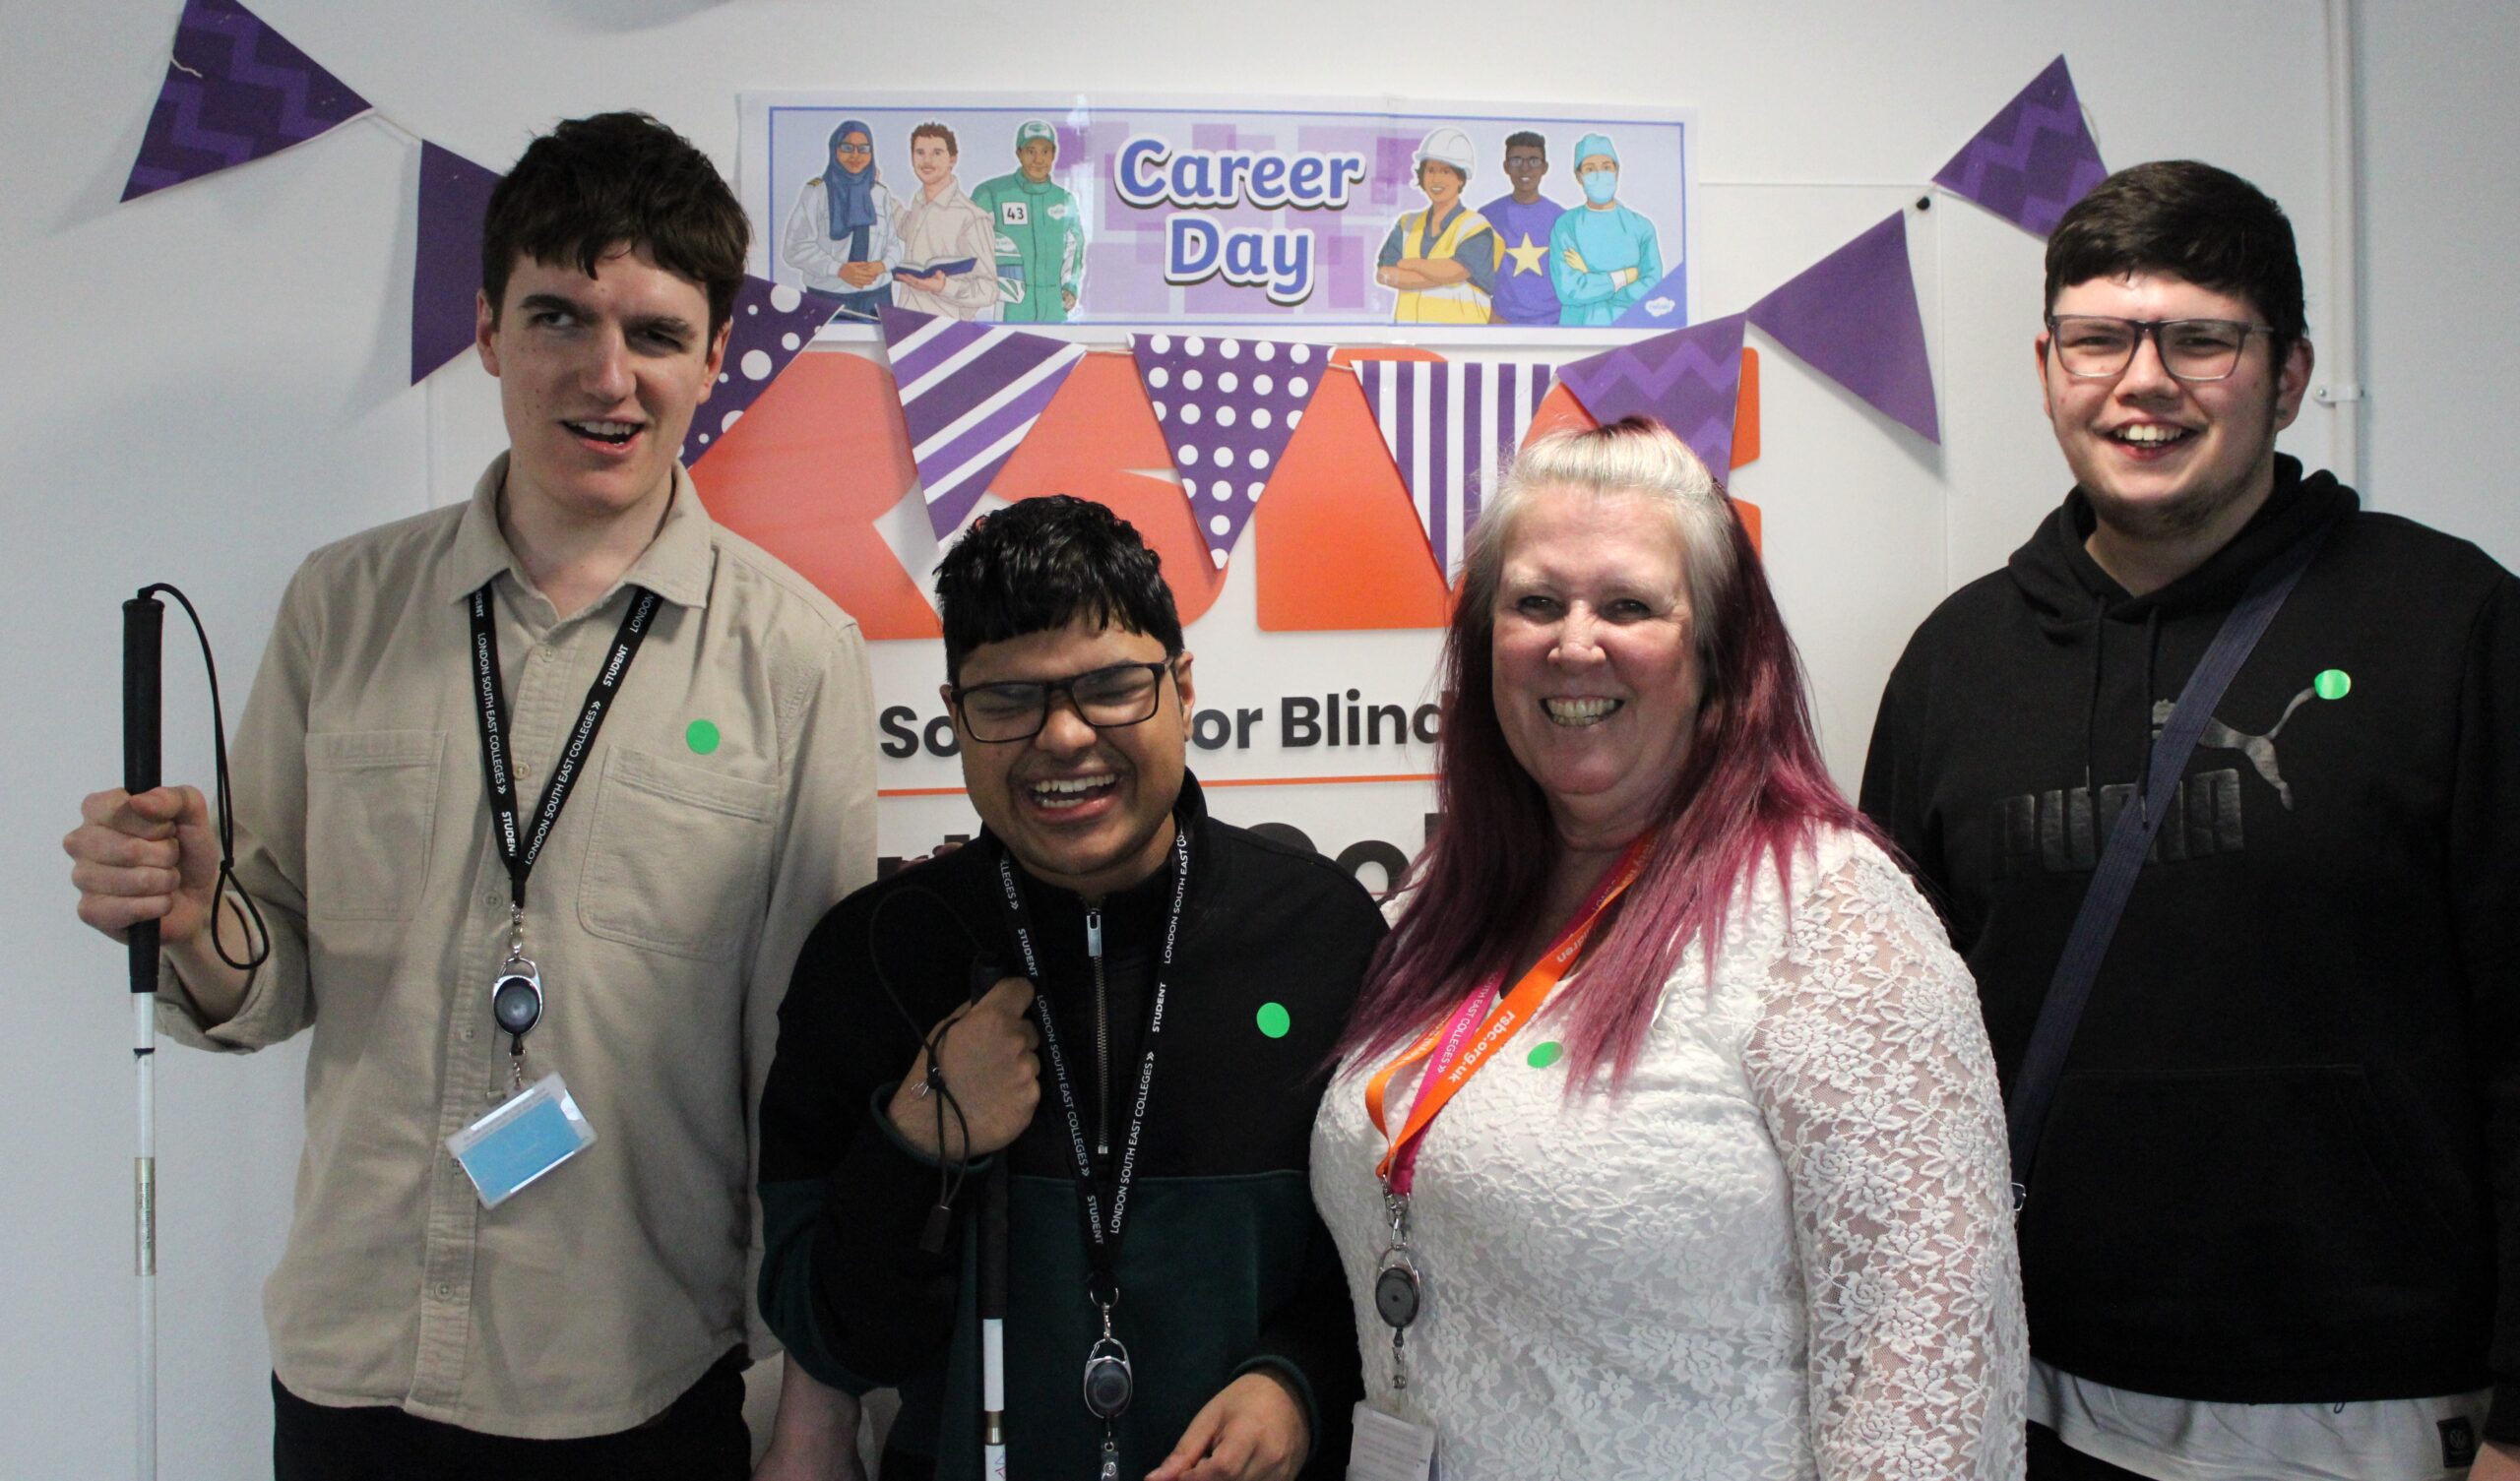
(1783, 1251)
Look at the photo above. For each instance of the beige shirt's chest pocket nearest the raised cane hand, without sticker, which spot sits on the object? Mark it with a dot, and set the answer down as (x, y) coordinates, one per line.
(372, 820)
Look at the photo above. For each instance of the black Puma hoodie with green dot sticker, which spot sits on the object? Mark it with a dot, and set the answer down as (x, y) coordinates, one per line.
(2284, 1157)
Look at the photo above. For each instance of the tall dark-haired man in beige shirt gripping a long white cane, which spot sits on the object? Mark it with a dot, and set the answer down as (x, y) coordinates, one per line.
(568, 734)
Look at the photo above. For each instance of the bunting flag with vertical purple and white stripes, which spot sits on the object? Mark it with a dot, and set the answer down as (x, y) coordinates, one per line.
(1453, 429)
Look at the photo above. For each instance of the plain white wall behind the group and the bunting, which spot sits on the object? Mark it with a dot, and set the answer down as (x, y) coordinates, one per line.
(210, 382)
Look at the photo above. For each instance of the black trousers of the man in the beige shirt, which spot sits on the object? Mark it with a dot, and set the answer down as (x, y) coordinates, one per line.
(697, 1439)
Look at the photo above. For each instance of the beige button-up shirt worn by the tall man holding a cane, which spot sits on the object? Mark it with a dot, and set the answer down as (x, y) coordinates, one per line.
(724, 807)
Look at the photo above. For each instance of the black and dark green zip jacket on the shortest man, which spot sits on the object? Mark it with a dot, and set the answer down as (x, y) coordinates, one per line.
(1223, 1266)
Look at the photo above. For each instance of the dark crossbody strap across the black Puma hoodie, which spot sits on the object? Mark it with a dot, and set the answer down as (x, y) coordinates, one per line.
(2070, 991)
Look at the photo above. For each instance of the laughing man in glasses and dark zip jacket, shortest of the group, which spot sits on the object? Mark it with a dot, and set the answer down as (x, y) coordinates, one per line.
(1163, 986)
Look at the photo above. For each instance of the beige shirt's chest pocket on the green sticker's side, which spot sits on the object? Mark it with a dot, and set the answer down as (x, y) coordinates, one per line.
(679, 858)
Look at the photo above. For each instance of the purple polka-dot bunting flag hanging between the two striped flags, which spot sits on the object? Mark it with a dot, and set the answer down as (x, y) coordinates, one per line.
(1226, 407)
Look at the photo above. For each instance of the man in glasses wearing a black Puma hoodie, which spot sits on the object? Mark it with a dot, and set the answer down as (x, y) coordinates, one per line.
(2274, 1220)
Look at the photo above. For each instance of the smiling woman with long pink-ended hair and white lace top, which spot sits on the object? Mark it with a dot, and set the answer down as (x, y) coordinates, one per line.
(1667, 1140)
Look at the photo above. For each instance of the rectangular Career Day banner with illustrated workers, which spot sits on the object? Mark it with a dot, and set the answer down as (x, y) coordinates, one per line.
(1060, 210)
